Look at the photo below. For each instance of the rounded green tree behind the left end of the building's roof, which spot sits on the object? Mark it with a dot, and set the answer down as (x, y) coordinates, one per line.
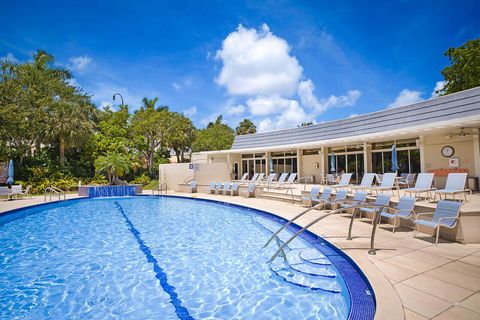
(216, 136)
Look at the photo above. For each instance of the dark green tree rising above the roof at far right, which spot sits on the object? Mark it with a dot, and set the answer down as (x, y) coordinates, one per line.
(464, 71)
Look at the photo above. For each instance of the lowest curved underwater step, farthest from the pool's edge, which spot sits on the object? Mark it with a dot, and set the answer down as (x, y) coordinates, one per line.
(283, 270)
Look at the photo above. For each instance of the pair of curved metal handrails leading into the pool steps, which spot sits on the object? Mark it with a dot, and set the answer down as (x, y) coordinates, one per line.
(355, 208)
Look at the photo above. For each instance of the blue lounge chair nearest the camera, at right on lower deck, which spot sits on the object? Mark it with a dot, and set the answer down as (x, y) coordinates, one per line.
(446, 215)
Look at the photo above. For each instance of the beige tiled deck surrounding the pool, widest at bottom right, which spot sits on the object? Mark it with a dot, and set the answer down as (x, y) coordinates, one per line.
(412, 278)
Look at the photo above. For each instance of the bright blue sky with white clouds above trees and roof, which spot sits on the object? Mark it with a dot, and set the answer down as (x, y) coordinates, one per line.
(278, 63)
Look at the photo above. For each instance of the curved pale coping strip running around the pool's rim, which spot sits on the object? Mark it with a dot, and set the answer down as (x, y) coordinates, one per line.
(388, 303)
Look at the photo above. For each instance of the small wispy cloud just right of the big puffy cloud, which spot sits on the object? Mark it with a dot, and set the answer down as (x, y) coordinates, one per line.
(305, 92)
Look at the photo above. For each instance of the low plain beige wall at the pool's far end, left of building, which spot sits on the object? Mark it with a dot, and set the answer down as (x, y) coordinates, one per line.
(204, 173)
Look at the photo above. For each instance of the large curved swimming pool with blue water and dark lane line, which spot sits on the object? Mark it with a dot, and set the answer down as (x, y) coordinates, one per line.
(168, 258)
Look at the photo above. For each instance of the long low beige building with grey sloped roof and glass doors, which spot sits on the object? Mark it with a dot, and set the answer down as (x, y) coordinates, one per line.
(439, 135)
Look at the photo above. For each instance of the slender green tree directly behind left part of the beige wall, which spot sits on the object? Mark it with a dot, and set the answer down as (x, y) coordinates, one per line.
(181, 135)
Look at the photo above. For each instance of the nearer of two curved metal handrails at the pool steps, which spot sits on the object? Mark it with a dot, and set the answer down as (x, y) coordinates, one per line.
(355, 208)
